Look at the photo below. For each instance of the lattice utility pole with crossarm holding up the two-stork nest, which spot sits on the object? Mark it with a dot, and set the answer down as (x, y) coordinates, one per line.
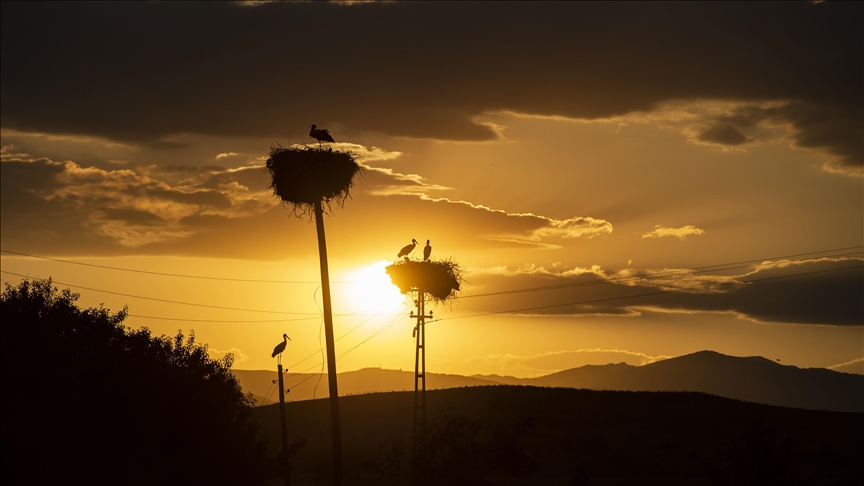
(419, 443)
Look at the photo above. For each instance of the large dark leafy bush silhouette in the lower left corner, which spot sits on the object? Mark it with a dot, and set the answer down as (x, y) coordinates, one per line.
(87, 400)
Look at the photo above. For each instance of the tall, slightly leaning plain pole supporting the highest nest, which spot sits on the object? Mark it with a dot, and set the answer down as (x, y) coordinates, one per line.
(331, 349)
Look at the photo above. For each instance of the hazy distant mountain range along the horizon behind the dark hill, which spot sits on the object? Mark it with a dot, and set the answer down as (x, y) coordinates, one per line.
(751, 379)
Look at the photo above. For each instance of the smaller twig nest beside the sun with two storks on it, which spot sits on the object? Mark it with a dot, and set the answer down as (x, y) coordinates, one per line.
(440, 280)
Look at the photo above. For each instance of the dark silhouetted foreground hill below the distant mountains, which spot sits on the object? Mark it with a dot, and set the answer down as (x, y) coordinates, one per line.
(557, 436)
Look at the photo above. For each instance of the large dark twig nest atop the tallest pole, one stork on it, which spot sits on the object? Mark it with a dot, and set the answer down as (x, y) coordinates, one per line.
(303, 176)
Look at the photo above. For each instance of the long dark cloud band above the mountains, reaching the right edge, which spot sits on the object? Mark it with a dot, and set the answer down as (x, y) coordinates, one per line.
(825, 291)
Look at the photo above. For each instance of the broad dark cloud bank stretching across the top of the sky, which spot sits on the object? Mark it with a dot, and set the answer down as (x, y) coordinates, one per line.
(142, 71)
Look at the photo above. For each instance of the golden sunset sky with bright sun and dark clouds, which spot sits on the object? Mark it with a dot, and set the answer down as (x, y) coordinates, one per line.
(685, 176)
